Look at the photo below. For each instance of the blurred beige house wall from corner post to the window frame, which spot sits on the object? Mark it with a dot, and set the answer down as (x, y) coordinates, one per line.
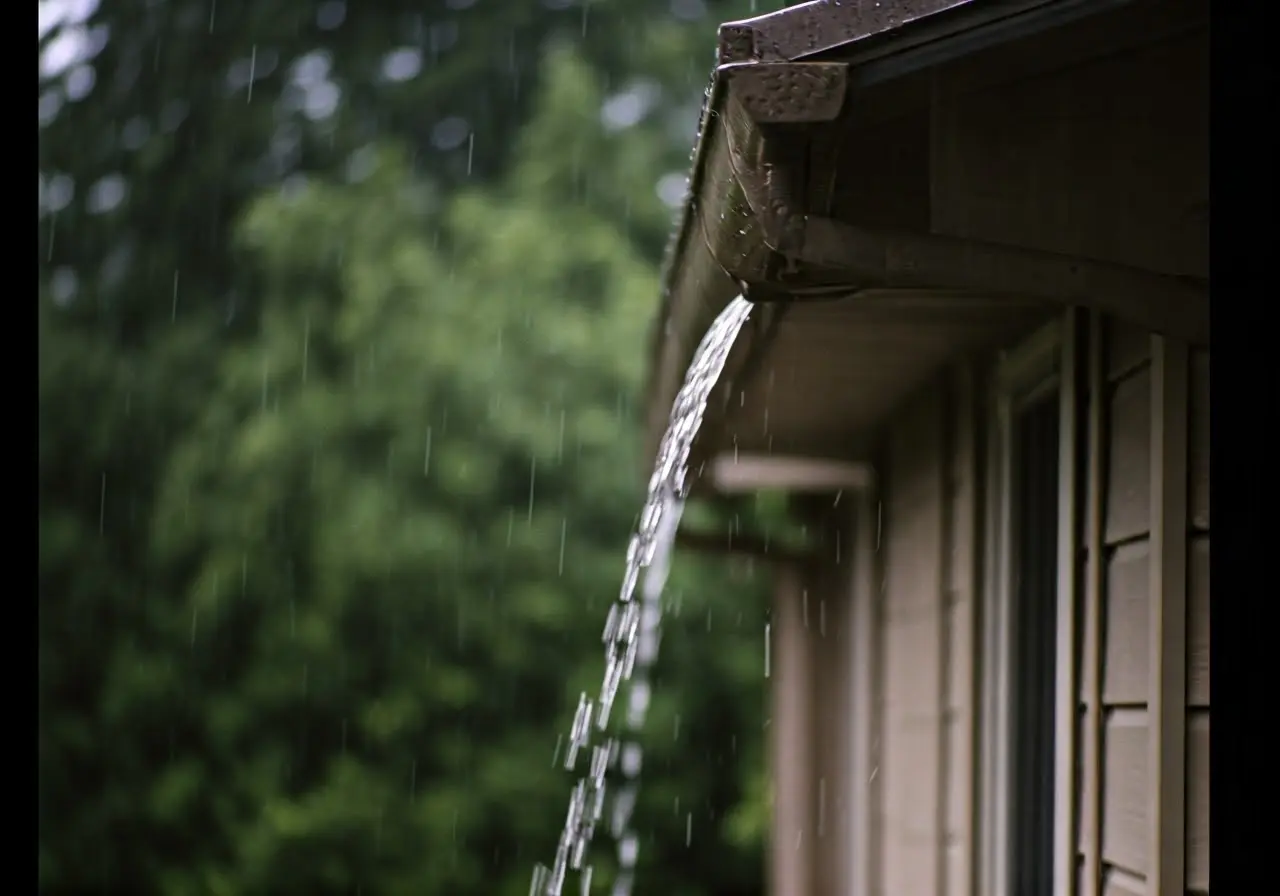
(874, 673)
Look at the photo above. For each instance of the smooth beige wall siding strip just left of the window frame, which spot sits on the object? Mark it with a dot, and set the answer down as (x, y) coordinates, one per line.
(927, 637)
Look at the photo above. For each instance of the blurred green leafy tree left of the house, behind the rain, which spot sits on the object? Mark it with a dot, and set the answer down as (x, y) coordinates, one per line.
(318, 595)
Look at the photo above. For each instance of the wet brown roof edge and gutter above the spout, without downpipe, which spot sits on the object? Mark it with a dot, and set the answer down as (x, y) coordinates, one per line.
(740, 230)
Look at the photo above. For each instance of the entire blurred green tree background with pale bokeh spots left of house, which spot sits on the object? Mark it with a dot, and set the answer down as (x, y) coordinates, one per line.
(345, 312)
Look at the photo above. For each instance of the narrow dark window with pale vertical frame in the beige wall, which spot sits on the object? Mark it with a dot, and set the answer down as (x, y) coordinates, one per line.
(1022, 623)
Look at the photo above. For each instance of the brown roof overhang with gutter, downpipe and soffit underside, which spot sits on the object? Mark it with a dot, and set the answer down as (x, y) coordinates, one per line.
(860, 300)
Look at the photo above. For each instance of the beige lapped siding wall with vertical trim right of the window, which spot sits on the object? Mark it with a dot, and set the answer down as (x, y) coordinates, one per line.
(1119, 792)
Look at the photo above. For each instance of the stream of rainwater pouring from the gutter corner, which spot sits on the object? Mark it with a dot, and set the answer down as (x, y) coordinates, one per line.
(632, 632)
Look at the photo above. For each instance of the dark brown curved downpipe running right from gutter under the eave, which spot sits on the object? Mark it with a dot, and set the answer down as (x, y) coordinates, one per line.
(1168, 305)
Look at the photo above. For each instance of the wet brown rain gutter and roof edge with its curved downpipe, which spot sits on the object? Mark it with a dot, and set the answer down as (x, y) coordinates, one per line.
(774, 106)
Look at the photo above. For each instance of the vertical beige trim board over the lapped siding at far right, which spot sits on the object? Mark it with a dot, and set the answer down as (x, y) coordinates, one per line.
(1171, 378)
